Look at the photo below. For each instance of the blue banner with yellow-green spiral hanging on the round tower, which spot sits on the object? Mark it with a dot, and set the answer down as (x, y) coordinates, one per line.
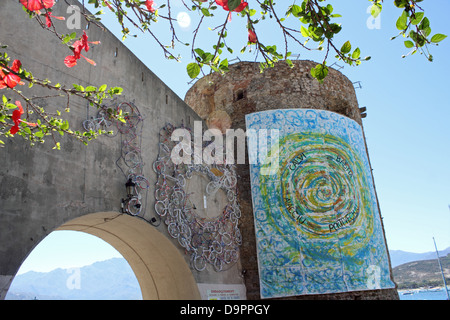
(316, 216)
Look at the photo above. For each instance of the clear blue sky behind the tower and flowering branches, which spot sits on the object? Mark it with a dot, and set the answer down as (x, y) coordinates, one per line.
(407, 128)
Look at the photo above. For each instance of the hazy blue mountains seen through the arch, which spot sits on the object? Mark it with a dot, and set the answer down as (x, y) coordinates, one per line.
(106, 280)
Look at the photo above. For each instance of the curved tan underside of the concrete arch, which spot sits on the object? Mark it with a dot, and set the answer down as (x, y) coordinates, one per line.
(159, 267)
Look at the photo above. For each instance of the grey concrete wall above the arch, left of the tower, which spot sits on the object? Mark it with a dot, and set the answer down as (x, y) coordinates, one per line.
(40, 188)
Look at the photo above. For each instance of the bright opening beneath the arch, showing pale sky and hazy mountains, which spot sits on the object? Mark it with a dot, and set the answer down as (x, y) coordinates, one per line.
(73, 265)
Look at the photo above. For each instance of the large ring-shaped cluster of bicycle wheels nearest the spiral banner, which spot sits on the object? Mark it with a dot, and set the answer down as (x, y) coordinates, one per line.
(210, 241)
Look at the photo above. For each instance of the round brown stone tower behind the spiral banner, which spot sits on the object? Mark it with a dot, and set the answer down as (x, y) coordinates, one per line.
(224, 100)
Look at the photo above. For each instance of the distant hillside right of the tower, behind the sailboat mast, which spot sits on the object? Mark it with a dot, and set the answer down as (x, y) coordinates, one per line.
(423, 273)
